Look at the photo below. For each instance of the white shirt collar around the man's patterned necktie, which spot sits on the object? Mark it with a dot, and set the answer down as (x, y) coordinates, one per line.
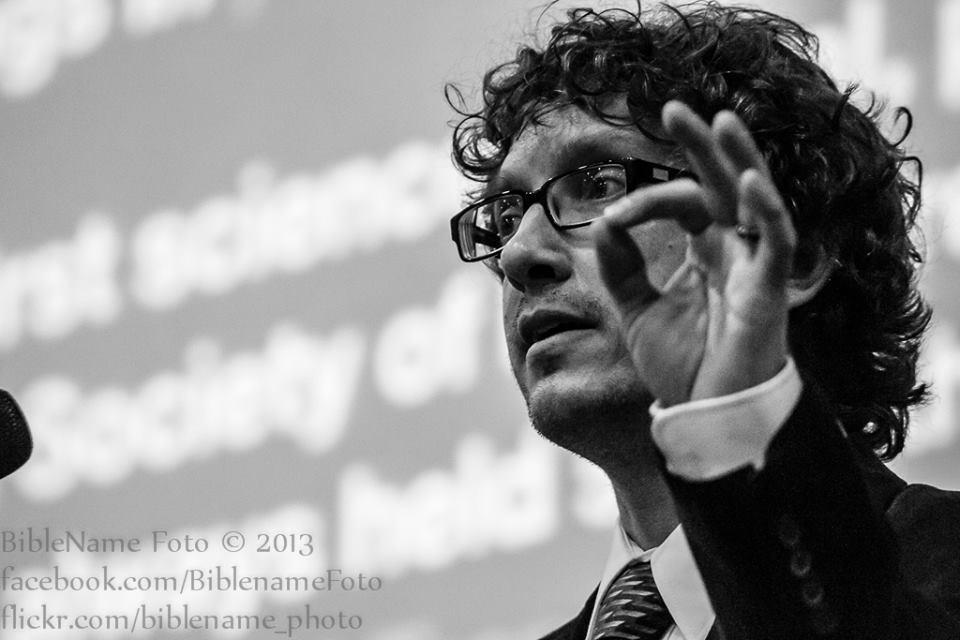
(677, 577)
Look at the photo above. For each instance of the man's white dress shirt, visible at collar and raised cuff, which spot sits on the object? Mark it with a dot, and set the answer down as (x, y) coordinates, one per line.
(701, 440)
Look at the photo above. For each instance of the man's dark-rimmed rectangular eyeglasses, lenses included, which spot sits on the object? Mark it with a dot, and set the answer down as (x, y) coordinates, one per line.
(570, 200)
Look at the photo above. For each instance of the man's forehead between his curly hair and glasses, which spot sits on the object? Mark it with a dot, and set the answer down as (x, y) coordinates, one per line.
(568, 138)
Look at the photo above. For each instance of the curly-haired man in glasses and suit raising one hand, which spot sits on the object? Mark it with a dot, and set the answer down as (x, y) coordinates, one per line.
(709, 291)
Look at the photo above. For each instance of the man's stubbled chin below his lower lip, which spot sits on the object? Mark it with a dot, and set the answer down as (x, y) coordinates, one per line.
(600, 421)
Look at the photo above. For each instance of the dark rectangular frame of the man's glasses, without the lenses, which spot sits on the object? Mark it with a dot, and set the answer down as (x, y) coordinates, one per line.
(638, 173)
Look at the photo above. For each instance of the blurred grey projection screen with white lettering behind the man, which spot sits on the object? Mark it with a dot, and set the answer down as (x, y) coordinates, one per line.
(229, 302)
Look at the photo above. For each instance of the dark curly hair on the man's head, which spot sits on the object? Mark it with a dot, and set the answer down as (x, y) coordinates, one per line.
(851, 199)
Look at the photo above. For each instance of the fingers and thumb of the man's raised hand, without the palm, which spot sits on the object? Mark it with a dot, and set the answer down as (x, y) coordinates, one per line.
(734, 190)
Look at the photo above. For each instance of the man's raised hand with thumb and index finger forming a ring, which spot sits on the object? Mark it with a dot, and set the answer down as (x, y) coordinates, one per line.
(719, 325)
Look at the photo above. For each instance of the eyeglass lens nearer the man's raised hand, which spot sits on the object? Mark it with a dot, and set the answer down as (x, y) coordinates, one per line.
(582, 196)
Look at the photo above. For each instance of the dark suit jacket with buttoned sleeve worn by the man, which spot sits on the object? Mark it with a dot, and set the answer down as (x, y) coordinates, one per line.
(824, 542)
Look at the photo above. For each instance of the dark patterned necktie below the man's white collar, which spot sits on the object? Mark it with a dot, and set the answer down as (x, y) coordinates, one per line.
(632, 608)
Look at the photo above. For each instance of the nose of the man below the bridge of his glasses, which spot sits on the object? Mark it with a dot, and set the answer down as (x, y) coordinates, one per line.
(537, 255)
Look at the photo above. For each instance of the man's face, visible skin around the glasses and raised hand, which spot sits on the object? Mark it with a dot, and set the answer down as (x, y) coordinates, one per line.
(562, 328)
